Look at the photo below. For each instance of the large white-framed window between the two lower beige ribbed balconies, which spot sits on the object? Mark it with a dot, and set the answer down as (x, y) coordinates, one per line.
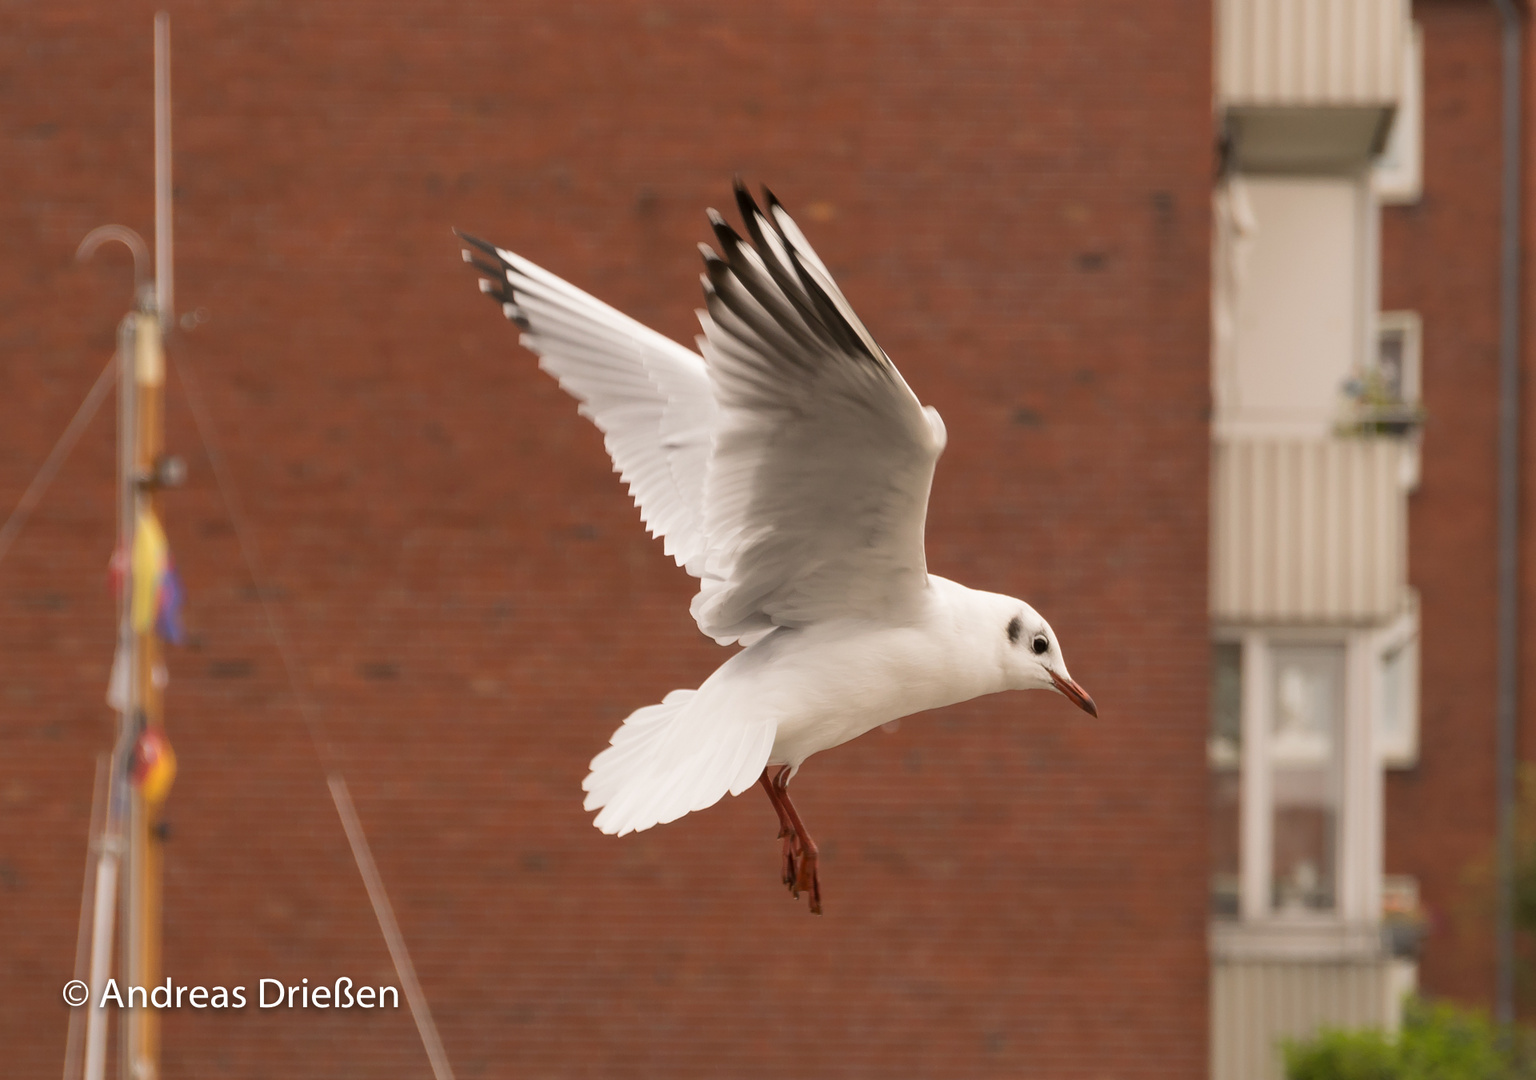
(1303, 723)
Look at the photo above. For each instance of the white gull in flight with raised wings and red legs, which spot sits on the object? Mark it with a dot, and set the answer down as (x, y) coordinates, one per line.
(787, 468)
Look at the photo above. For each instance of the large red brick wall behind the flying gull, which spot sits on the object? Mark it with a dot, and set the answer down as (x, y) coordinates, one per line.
(1018, 200)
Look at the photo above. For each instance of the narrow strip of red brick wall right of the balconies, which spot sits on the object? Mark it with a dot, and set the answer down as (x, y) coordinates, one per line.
(1442, 259)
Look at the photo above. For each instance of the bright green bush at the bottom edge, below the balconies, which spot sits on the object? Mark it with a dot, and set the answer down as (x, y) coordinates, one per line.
(1438, 1042)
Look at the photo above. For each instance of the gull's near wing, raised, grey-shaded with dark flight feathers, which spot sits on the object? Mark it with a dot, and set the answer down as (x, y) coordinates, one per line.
(818, 486)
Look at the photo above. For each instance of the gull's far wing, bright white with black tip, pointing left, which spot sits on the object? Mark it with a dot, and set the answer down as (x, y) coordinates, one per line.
(647, 394)
